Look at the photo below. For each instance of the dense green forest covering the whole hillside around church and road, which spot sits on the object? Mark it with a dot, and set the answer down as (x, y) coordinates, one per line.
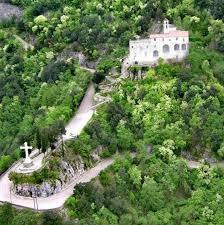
(175, 109)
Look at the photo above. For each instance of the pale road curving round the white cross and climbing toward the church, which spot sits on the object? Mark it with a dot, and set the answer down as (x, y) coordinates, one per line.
(74, 128)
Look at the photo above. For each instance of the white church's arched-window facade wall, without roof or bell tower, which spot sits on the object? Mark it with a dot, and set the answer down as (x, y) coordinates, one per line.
(142, 52)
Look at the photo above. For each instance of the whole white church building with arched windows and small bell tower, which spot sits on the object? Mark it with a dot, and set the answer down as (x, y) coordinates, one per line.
(170, 45)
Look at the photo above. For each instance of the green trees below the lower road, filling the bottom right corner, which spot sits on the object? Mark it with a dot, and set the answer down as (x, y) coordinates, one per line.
(149, 191)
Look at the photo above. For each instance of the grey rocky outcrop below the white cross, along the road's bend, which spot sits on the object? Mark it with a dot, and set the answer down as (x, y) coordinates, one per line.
(67, 174)
